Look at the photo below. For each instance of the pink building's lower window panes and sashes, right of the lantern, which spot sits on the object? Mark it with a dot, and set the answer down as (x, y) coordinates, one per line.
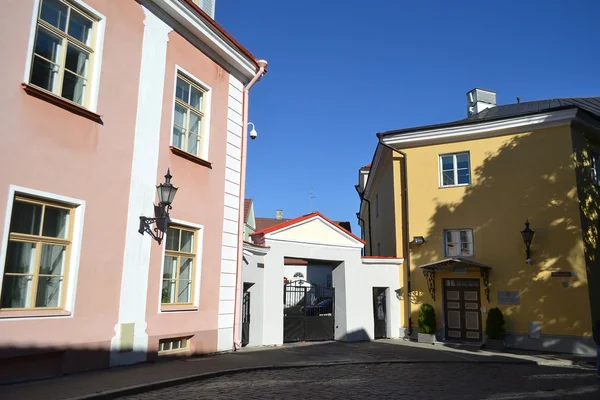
(179, 266)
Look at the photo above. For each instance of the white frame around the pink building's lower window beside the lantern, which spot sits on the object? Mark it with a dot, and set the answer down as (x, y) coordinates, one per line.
(173, 309)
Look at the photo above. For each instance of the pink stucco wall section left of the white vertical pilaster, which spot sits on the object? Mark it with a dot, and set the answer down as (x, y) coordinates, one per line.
(47, 148)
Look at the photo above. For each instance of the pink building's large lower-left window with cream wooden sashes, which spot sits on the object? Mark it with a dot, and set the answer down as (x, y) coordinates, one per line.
(35, 271)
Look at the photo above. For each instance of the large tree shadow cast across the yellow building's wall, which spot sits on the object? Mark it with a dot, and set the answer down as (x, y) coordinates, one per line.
(531, 176)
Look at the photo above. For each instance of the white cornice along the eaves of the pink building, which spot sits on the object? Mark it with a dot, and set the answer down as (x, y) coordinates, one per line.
(207, 35)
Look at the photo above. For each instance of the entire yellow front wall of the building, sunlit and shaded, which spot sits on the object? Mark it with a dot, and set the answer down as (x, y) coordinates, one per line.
(514, 178)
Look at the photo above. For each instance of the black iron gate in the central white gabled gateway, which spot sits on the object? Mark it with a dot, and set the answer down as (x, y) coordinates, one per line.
(308, 312)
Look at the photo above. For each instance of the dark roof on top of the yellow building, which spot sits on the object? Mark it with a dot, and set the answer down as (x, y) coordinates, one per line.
(588, 104)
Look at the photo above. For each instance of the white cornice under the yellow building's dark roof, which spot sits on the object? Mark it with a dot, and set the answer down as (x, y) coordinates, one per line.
(479, 130)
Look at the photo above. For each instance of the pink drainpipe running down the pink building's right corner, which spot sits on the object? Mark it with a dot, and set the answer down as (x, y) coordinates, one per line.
(262, 64)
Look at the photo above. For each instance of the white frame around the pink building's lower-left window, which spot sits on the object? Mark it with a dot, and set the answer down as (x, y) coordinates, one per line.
(78, 213)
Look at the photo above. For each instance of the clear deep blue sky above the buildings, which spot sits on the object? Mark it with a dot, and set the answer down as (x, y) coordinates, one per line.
(342, 70)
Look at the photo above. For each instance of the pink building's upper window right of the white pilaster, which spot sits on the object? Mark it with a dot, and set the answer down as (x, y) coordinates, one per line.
(189, 116)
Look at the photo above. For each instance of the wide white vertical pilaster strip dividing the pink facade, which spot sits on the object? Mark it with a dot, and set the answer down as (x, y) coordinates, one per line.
(142, 192)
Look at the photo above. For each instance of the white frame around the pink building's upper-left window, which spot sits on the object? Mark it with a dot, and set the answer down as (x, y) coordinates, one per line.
(94, 79)
